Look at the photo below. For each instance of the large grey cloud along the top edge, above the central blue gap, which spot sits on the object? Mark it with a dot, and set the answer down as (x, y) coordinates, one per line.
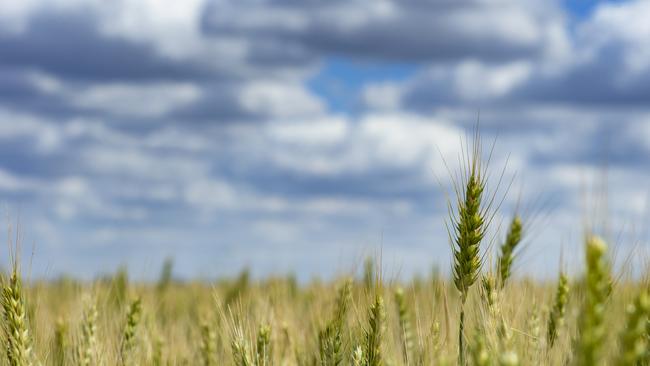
(419, 31)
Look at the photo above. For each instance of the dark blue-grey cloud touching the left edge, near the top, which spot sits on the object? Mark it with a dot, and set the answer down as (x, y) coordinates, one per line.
(68, 45)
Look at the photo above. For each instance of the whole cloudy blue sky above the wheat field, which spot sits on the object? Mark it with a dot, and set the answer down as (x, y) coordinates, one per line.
(302, 136)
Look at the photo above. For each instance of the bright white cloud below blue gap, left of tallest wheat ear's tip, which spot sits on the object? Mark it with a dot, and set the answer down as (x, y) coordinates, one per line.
(375, 141)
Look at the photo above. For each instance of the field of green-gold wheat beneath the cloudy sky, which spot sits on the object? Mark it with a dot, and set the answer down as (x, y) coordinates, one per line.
(480, 315)
